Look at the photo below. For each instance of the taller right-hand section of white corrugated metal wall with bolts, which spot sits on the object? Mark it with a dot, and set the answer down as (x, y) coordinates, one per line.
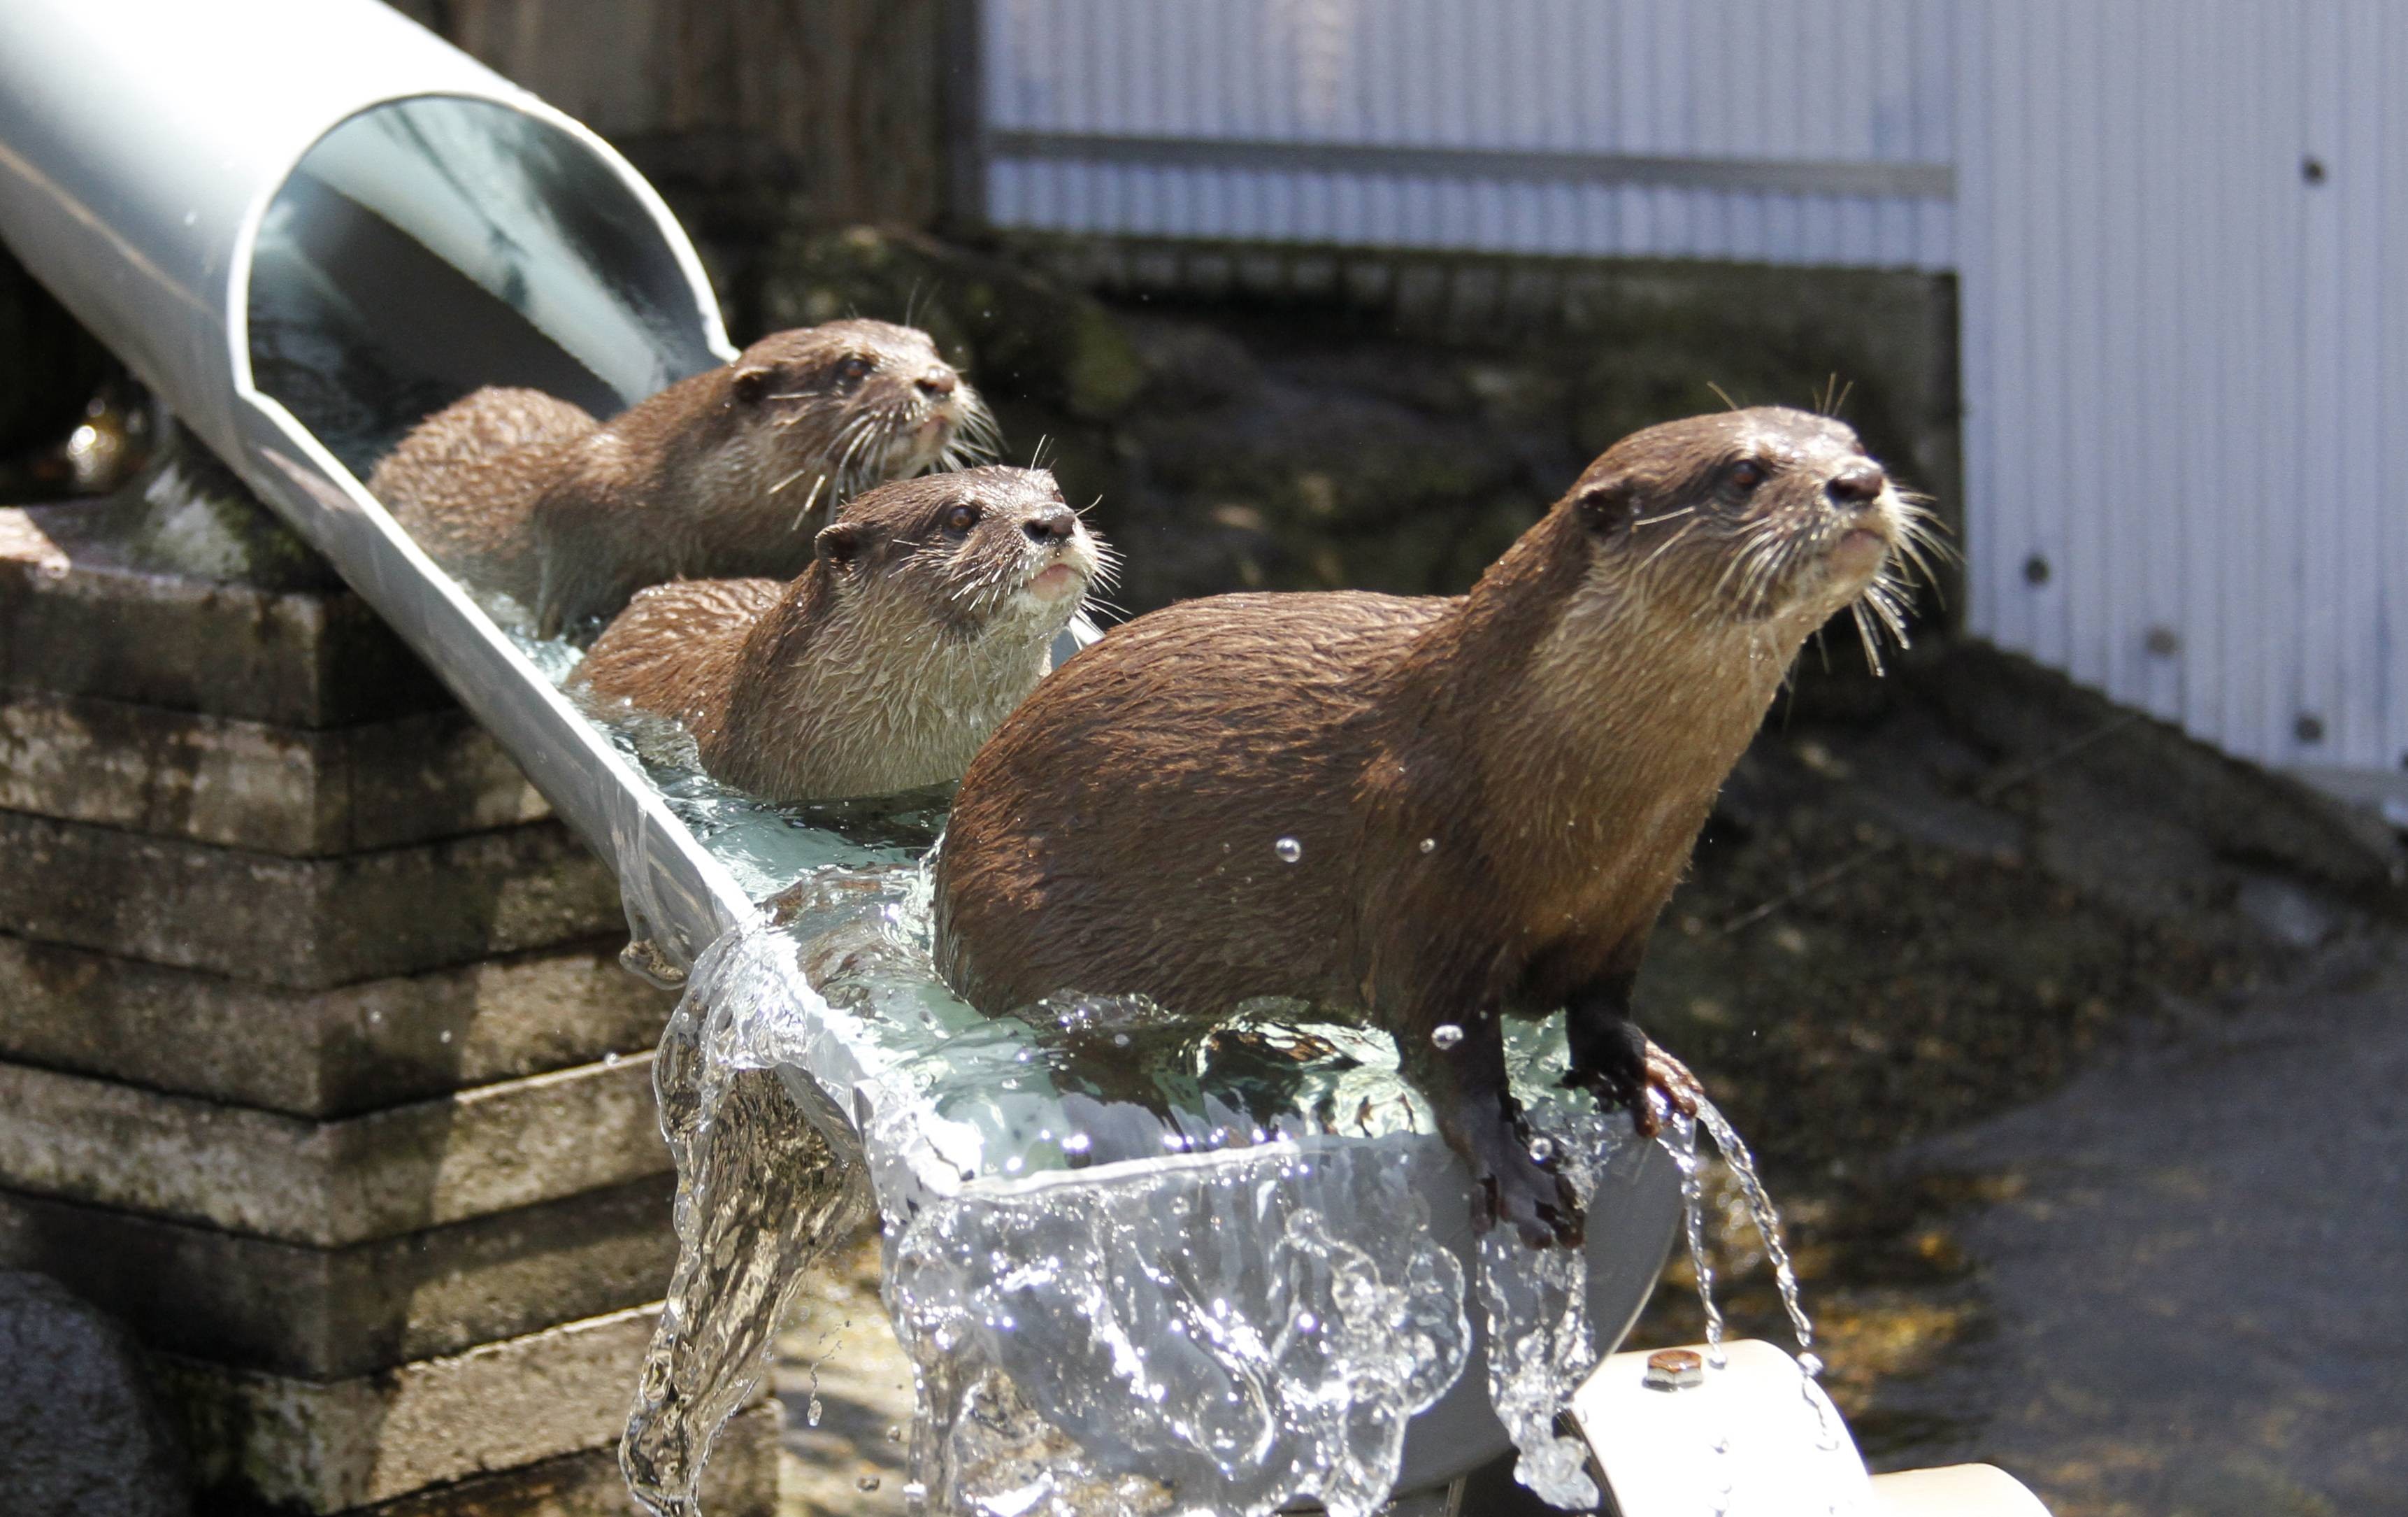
(2188, 365)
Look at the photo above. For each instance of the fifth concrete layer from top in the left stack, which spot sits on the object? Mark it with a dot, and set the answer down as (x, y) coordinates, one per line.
(329, 1184)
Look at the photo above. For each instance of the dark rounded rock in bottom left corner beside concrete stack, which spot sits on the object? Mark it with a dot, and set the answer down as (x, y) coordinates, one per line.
(83, 1432)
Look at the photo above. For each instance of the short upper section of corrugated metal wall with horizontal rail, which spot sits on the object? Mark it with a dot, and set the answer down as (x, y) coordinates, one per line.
(1786, 131)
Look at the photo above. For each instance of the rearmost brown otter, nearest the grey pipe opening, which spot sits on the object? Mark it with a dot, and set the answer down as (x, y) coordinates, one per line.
(726, 473)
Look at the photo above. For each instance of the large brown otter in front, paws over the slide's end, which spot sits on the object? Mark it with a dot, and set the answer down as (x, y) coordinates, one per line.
(1427, 810)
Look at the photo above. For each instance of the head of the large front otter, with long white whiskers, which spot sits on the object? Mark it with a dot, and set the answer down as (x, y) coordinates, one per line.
(1764, 519)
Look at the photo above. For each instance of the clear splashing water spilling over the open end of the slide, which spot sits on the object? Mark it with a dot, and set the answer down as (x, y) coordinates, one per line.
(1246, 1321)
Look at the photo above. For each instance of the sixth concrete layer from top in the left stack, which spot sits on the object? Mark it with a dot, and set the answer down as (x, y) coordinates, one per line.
(326, 1314)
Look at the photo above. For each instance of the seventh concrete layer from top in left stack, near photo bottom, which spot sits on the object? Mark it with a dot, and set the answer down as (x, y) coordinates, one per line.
(331, 1446)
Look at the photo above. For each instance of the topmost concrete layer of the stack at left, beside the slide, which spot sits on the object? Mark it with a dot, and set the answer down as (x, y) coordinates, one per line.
(78, 620)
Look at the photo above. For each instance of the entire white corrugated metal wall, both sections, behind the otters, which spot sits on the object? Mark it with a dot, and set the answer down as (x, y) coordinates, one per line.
(2180, 232)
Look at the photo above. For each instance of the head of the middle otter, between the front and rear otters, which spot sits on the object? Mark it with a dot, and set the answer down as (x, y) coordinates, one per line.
(981, 553)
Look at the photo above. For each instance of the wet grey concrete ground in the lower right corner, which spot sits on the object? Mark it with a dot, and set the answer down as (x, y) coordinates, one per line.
(2195, 1273)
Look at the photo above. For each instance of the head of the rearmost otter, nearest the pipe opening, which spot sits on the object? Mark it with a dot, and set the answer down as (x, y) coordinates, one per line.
(858, 401)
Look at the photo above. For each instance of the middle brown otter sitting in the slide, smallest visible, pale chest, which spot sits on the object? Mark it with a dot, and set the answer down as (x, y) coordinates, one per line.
(923, 620)
